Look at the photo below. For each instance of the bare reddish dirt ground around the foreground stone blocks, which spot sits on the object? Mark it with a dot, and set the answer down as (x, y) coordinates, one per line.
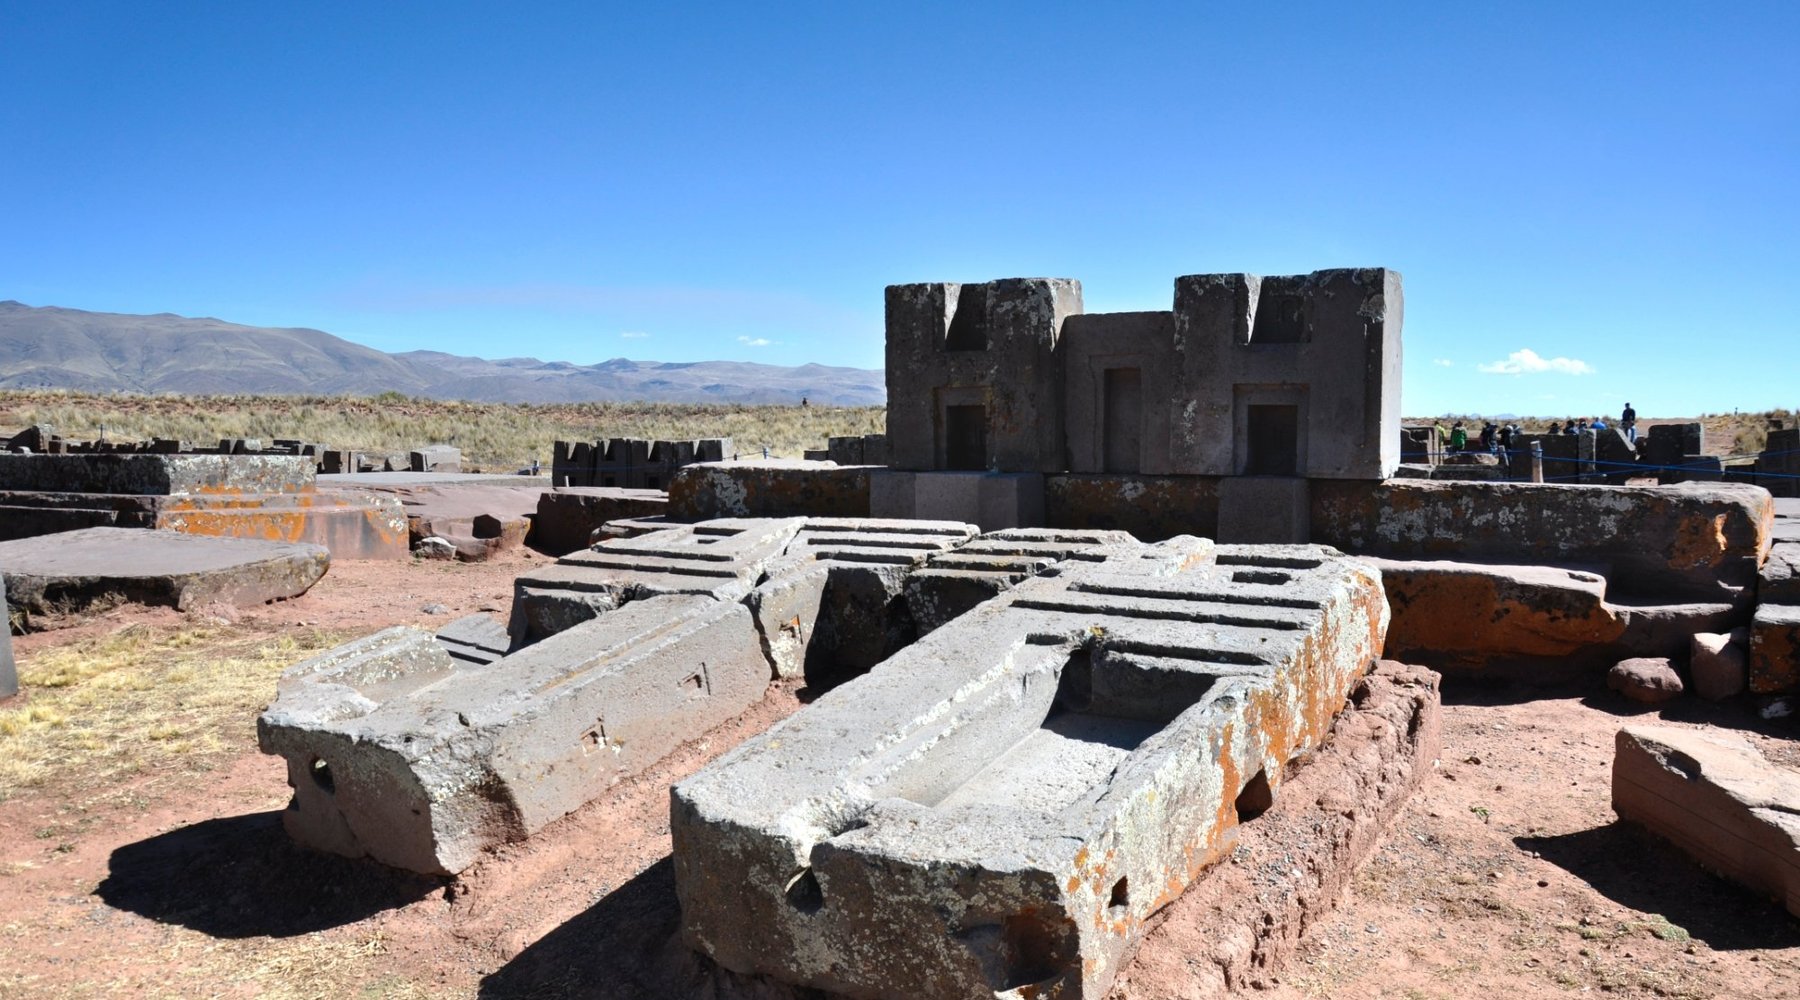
(1507, 873)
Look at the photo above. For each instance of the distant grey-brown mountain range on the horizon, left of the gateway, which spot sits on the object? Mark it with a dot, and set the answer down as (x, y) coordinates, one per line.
(55, 348)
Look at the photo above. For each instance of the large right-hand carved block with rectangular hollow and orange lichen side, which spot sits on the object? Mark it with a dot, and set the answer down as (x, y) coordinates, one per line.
(1002, 807)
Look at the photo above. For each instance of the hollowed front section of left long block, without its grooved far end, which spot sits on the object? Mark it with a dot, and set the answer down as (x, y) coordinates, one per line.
(402, 753)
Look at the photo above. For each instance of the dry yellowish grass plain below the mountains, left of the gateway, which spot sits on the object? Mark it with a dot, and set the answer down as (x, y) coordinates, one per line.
(492, 436)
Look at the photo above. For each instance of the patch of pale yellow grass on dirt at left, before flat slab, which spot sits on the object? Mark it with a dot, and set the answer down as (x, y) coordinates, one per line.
(141, 699)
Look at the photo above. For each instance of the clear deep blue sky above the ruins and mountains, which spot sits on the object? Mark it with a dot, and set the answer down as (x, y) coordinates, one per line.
(1594, 202)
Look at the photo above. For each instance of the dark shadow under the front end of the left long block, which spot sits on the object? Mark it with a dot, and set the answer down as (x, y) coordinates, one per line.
(242, 877)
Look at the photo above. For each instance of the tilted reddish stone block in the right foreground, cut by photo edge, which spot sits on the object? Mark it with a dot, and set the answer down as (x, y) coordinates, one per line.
(1718, 799)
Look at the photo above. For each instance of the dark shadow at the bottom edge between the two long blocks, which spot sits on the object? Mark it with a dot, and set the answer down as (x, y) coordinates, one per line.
(625, 947)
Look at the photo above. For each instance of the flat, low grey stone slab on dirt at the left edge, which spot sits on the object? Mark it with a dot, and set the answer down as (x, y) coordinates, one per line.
(75, 569)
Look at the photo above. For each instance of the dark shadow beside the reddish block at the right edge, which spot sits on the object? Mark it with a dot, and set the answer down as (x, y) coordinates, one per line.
(1635, 870)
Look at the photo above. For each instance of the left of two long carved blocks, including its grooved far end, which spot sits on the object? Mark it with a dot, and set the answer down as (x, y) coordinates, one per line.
(424, 751)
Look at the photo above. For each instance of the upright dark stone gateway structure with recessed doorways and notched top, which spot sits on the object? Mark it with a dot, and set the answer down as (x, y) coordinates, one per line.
(1282, 379)
